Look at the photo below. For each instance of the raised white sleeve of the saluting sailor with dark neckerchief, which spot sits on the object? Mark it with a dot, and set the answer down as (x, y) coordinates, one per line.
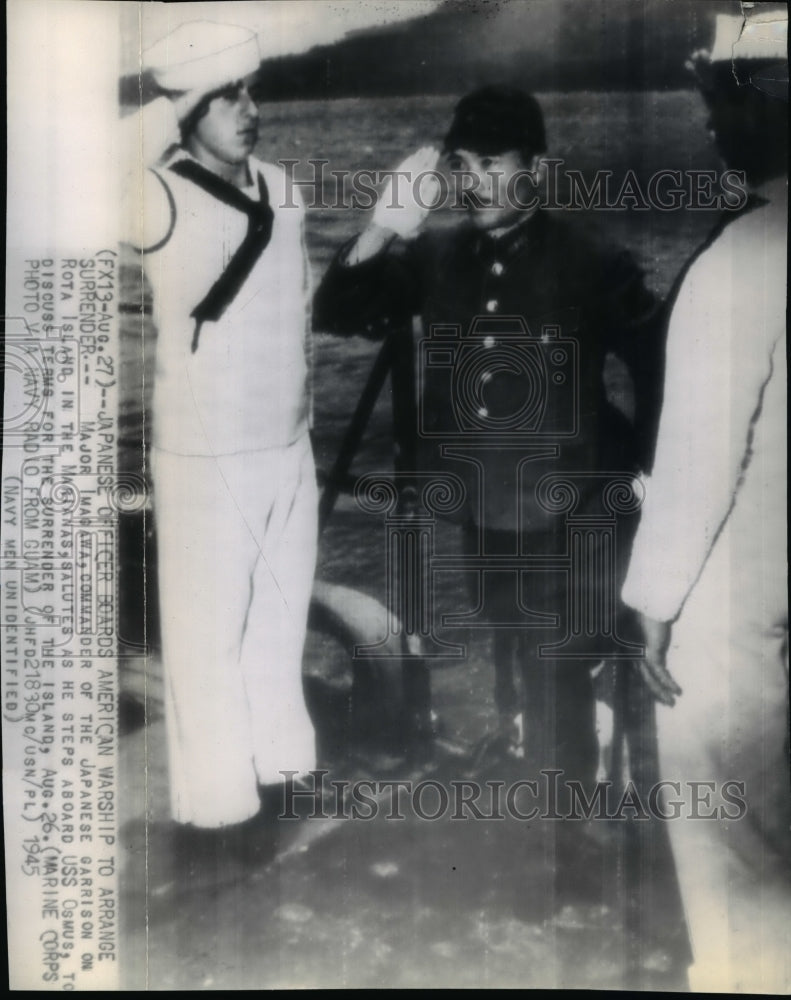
(145, 135)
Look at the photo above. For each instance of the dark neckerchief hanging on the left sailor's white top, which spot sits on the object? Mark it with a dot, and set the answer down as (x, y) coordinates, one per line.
(259, 232)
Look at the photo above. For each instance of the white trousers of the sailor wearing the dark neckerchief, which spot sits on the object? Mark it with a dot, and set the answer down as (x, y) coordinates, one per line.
(236, 540)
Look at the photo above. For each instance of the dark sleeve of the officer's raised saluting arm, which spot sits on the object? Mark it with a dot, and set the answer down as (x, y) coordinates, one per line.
(372, 297)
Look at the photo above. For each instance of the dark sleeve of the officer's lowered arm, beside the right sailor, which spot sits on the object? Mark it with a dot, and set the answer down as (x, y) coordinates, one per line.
(632, 325)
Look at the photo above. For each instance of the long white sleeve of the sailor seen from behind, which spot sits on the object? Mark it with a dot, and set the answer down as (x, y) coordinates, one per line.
(715, 369)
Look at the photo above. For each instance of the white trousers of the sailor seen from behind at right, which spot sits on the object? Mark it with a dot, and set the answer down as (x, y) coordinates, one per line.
(729, 654)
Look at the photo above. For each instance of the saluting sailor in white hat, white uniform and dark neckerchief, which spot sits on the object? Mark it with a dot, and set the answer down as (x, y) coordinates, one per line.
(232, 467)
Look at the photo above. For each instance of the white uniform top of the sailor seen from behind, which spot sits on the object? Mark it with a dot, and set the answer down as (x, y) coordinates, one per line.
(721, 449)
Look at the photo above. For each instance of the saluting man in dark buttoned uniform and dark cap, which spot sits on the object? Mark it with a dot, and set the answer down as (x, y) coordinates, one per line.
(507, 272)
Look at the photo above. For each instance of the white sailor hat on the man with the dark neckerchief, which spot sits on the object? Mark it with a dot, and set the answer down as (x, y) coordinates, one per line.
(202, 55)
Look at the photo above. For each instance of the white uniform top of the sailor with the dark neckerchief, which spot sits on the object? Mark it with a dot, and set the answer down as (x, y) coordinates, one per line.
(245, 387)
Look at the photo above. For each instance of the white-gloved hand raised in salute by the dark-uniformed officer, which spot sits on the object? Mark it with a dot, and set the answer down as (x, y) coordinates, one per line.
(410, 192)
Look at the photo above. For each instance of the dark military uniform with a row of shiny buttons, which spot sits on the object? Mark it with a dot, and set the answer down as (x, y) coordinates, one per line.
(544, 406)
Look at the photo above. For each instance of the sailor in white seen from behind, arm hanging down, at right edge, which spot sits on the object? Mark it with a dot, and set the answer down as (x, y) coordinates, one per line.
(708, 572)
